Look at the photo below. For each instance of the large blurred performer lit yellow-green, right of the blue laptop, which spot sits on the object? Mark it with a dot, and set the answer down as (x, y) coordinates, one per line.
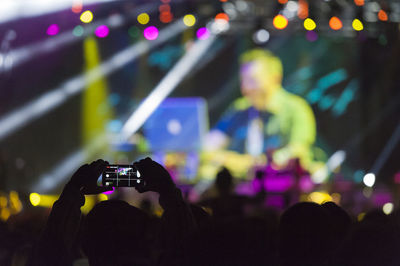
(267, 116)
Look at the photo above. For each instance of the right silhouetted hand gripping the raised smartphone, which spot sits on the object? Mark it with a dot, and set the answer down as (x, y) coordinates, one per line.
(155, 176)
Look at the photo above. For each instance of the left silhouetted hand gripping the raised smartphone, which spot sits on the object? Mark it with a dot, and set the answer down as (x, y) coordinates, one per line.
(85, 178)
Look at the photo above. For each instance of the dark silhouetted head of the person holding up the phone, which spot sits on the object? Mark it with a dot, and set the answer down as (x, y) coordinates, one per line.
(116, 233)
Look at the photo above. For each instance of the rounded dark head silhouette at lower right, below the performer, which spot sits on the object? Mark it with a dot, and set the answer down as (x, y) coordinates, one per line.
(305, 235)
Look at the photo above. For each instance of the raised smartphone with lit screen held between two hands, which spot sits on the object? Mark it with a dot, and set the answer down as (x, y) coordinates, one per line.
(116, 175)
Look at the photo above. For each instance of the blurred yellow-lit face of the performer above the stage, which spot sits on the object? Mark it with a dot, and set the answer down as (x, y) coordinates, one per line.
(257, 84)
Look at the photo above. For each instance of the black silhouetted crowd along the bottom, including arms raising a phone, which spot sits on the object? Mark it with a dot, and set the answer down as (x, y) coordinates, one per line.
(225, 229)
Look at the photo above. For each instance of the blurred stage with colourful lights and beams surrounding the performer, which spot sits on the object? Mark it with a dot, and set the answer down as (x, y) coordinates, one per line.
(121, 80)
